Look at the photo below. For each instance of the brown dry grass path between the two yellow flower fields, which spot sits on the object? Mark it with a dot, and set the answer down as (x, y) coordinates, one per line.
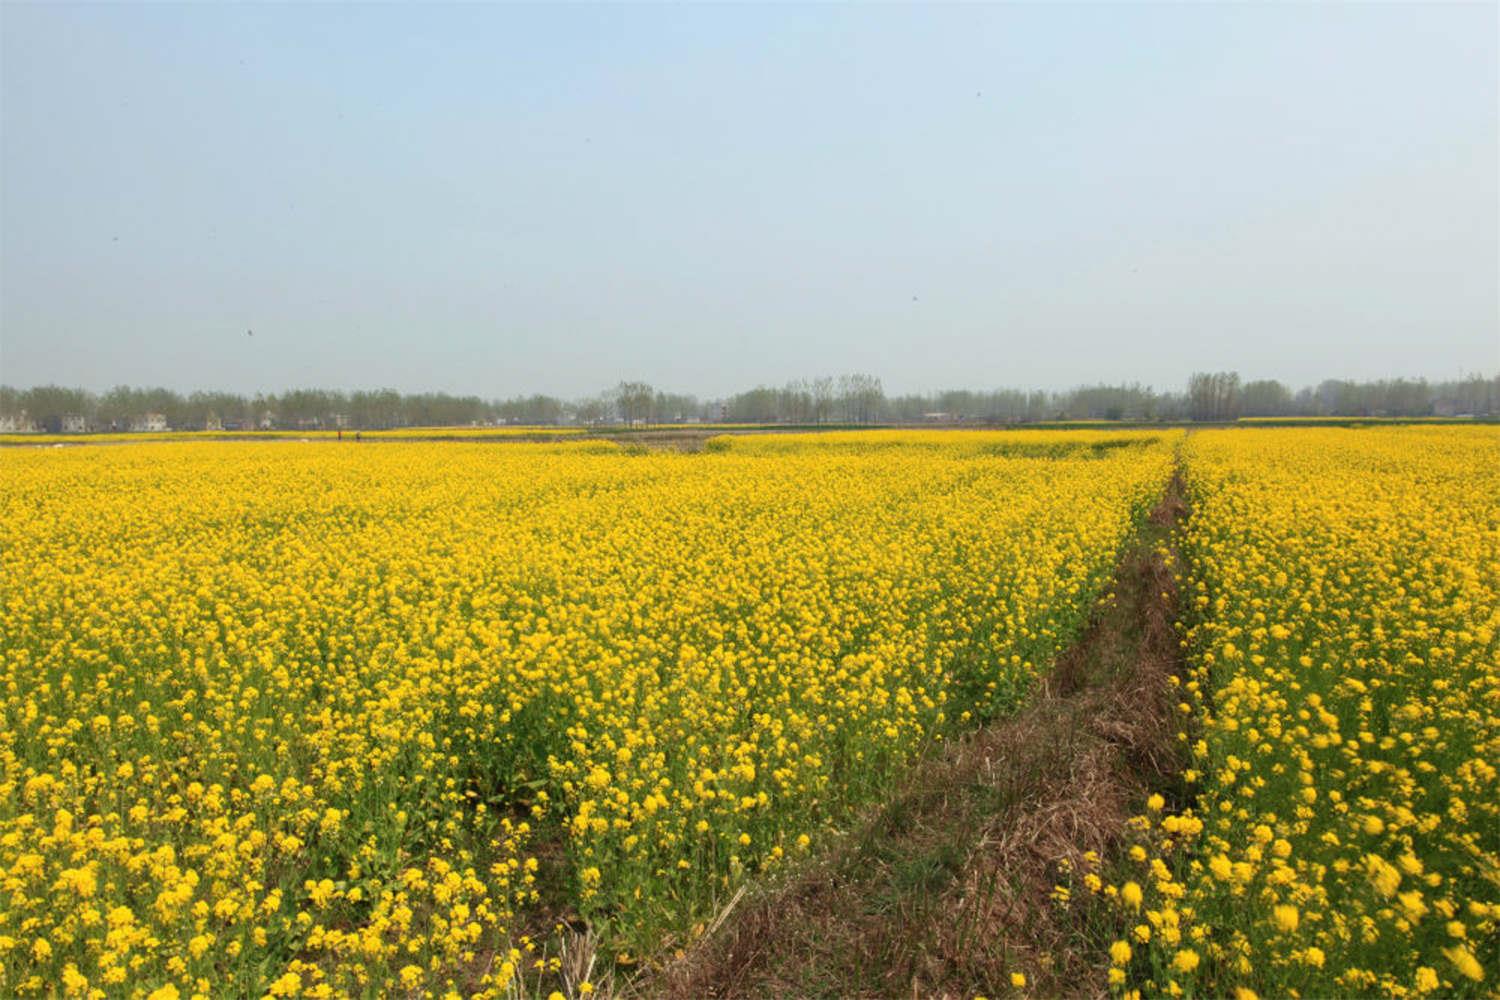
(947, 891)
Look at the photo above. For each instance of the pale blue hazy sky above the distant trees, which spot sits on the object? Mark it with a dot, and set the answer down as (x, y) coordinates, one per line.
(509, 199)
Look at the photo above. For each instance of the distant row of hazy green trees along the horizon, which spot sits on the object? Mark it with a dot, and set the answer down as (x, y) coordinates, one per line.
(844, 400)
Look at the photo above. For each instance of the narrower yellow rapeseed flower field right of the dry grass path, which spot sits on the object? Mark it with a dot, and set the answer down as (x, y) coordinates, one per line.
(1343, 720)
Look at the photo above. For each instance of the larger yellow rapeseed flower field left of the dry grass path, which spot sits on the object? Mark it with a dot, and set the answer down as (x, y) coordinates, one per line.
(298, 720)
